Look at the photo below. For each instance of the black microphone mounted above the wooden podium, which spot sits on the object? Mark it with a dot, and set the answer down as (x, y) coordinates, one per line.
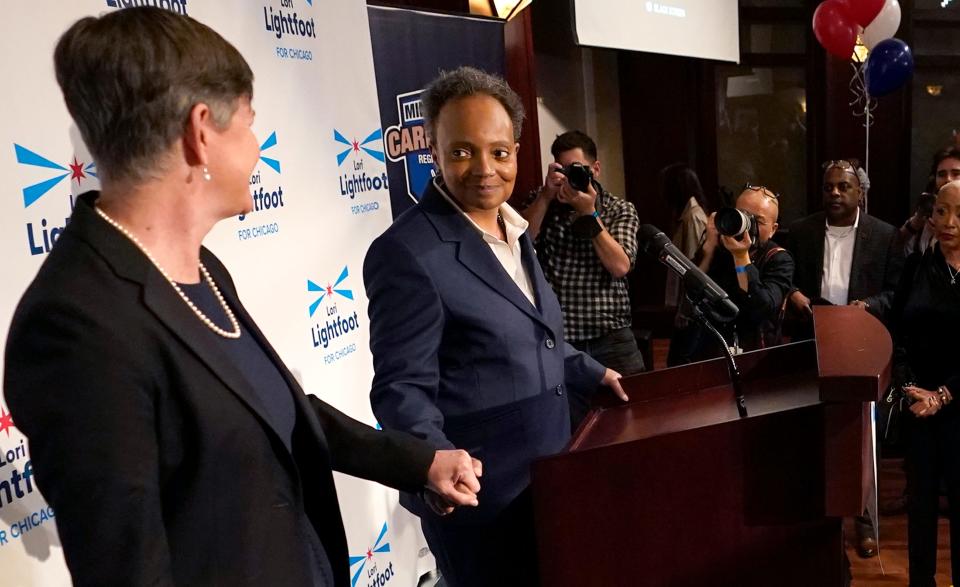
(700, 289)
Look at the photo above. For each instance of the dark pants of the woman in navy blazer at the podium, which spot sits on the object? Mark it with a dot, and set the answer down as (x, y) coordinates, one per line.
(501, 553)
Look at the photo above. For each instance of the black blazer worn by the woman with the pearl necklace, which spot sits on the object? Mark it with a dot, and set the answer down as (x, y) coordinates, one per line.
(152, 448)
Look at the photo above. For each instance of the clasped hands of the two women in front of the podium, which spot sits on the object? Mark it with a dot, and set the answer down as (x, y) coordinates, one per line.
(452, 481)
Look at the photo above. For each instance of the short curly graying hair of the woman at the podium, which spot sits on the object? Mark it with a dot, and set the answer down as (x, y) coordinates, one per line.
(469, 81)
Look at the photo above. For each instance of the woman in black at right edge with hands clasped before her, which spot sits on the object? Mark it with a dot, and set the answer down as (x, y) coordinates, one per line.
(926, 316)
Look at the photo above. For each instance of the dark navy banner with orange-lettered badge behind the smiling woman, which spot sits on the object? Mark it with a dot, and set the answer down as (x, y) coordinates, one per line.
(409, 49)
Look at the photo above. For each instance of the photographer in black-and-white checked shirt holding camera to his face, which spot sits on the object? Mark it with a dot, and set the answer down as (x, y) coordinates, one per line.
(586, 241)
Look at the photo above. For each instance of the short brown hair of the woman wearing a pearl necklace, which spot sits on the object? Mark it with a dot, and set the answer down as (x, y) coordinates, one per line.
(130, 78)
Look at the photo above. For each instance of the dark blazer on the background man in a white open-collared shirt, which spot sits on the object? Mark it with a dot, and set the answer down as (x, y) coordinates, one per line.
(877, 260)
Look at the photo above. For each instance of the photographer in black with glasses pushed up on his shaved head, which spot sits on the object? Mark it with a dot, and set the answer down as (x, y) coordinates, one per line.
(751, 268)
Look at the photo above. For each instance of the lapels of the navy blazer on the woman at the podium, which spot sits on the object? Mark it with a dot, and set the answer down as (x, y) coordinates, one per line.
(474, 254)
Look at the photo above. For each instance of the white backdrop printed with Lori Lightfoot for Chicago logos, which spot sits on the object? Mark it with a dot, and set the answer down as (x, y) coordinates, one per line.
(320, 192)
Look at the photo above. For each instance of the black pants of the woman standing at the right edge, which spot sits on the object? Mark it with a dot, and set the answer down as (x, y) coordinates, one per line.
(932, 455)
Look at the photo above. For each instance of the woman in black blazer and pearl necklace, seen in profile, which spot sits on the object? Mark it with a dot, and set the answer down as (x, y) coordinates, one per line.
(173, 443)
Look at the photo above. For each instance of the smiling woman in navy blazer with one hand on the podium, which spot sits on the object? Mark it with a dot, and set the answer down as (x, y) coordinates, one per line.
(467, 336)
